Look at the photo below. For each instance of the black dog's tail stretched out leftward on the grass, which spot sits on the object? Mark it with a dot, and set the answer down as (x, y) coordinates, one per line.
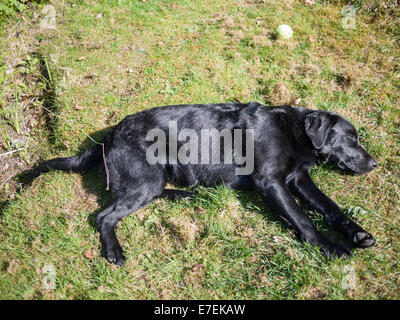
(84, 162)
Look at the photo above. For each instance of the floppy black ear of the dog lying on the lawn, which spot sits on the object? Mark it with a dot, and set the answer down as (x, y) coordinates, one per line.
(317, 126)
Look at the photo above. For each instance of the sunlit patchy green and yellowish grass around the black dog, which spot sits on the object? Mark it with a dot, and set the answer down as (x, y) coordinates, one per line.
(224, 245)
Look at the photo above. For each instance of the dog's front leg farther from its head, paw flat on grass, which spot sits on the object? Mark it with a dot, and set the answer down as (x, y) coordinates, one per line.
(279, 199)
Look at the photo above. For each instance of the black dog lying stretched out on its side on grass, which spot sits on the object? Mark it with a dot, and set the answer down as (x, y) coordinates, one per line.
(286, 141)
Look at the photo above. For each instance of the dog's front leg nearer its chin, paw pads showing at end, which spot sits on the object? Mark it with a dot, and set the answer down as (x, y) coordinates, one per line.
(305, 187)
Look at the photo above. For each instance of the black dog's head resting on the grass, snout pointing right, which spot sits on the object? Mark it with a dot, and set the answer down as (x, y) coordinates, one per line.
(336, 140)
